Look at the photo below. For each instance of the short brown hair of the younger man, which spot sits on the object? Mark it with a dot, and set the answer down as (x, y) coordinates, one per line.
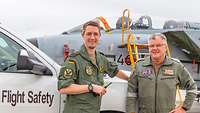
(90, 23)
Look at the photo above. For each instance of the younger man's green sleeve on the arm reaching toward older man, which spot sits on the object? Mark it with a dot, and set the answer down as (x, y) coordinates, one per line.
(111, 68)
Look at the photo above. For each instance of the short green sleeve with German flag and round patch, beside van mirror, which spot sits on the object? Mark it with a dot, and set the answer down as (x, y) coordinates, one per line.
(68, 74)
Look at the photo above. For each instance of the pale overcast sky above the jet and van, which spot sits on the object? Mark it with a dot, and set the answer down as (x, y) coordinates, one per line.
(34, 18)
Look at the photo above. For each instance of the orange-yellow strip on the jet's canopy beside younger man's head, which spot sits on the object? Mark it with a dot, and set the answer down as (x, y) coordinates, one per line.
(106, 26)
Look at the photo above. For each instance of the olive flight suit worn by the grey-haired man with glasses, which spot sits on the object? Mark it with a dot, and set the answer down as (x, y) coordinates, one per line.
(157, 93)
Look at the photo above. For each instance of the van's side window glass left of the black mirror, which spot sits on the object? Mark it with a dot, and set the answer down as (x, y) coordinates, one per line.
(8, 54)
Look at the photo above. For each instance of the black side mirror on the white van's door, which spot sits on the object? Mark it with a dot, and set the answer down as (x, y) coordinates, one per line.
(26, 62)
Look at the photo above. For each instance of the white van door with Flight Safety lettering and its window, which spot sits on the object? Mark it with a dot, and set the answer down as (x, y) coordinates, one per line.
(22, 91)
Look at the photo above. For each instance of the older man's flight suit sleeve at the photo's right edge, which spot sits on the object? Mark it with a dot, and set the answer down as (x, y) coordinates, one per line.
(187, 82)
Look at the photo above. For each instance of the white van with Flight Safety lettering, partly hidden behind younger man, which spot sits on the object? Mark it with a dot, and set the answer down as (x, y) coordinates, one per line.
(28, 80)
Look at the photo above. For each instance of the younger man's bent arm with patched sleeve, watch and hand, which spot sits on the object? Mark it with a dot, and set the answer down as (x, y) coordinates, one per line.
(67, 77)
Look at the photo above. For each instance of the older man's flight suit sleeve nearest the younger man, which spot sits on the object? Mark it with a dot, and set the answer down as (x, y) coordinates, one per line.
(132, 93)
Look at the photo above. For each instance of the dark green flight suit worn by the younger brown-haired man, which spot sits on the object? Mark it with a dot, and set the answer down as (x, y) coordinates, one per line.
(79, 69)
